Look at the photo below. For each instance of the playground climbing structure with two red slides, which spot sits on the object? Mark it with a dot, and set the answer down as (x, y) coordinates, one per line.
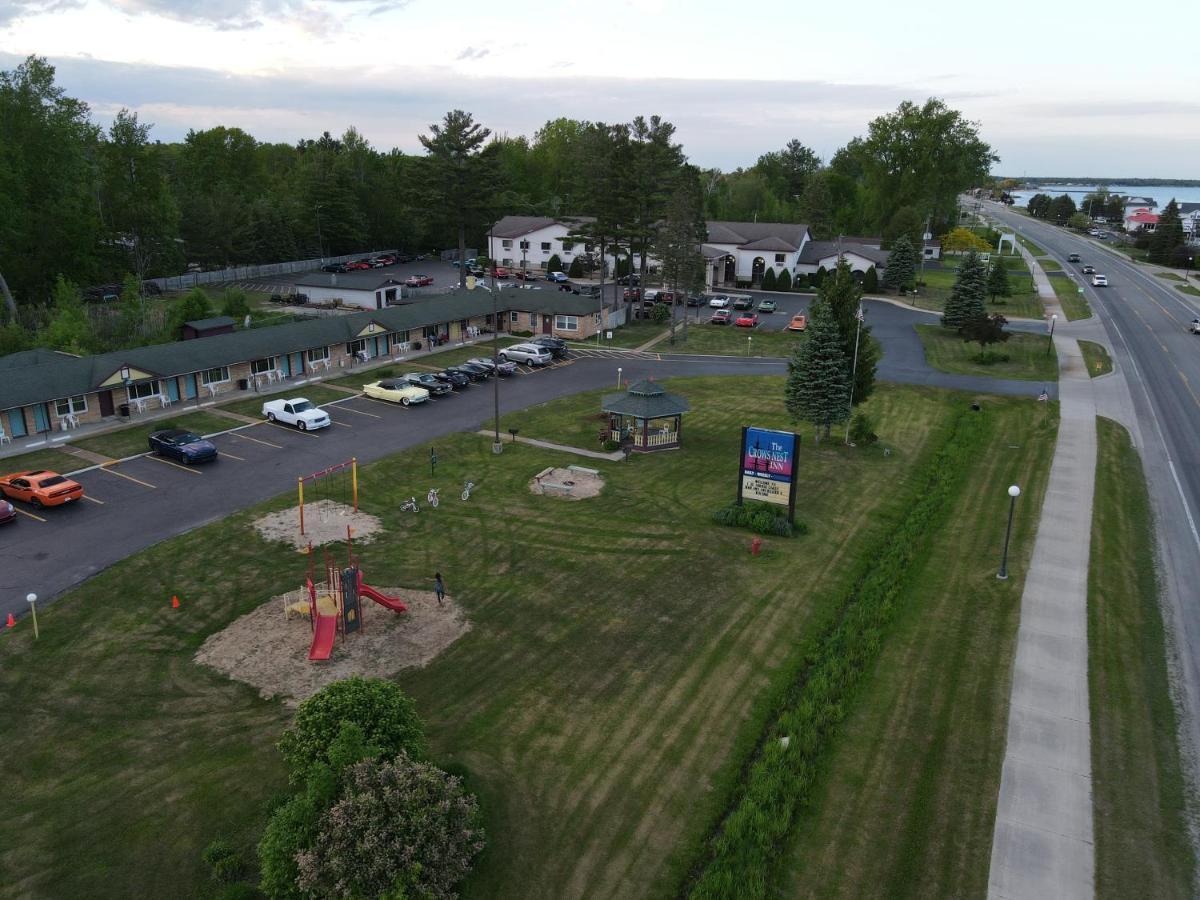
(334, 604)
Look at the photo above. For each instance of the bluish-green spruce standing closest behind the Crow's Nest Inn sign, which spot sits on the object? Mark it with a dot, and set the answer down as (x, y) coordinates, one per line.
(818, 388)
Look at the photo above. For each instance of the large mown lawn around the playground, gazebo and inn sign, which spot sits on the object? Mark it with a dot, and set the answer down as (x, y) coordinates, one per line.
(602, 701)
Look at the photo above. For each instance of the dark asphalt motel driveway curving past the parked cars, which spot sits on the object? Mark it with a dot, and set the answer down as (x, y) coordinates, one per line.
(146, 501)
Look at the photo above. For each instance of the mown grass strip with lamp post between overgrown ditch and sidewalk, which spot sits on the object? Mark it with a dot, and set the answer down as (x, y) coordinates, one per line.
(908, 801)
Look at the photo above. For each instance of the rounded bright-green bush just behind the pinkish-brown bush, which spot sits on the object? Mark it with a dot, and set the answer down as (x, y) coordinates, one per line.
(386, 715)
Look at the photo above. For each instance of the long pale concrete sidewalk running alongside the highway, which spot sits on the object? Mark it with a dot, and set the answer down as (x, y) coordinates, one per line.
(1043, 845)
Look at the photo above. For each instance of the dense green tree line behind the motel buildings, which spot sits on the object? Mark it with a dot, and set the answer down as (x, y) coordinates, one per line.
(95, 205)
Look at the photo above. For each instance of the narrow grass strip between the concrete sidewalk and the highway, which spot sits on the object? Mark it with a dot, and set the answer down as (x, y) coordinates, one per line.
(1138, 785)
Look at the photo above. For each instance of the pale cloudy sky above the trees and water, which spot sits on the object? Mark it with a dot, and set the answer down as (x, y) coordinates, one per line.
(1059, 87)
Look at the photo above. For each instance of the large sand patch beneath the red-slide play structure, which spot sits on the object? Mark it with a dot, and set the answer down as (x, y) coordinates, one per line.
(271, 653)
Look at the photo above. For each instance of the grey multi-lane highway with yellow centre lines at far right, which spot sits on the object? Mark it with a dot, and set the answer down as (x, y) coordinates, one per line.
(1147, 323)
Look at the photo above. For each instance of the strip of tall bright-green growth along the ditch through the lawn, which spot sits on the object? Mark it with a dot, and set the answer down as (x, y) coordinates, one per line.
(820, 686)
